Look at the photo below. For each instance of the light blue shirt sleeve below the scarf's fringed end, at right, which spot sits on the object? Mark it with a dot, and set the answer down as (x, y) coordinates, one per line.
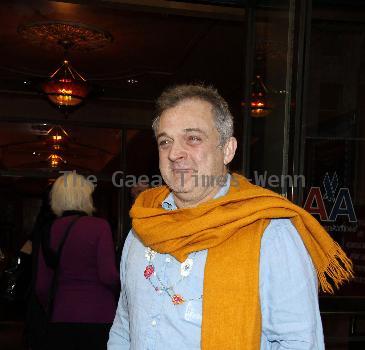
(288, 291)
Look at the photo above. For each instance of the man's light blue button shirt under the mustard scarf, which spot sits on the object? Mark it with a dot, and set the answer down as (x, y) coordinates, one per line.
(146, 319)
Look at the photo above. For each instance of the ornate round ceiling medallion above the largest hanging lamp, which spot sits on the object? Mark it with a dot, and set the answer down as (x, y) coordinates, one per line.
(50, 34)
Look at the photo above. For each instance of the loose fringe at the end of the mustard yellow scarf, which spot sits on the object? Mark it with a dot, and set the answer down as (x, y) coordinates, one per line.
(339, 270)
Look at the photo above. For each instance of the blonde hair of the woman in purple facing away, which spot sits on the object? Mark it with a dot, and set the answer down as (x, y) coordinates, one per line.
(72, 191)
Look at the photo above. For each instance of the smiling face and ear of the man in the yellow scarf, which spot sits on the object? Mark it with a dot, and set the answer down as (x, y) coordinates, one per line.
(190, 152)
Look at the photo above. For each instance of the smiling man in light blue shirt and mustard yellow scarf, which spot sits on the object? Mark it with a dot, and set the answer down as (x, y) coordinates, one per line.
(212, 261)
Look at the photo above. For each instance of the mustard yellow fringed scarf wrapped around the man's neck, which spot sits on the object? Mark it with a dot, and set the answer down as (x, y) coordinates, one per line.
(231, 227)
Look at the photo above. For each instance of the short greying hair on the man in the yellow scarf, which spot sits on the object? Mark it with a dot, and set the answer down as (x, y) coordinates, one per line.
(173, 96)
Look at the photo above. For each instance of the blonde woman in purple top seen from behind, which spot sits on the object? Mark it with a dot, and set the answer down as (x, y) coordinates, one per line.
(77, 280)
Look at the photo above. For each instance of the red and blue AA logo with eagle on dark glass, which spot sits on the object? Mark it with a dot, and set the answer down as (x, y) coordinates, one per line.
(338, 201)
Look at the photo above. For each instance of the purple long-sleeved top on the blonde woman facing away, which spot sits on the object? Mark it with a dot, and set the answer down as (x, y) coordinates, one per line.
(88, 283)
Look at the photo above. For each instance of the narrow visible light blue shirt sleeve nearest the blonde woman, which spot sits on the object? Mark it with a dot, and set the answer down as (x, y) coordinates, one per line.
(119, 338)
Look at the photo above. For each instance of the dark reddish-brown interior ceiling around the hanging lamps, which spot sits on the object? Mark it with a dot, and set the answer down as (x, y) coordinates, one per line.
(154, 44)
